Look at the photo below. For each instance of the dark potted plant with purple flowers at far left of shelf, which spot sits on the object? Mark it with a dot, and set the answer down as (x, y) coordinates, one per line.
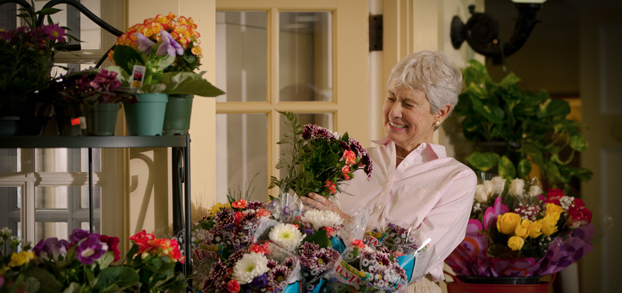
(26, 58)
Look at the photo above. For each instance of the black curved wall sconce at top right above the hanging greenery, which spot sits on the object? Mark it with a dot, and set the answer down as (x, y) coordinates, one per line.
(481, 31)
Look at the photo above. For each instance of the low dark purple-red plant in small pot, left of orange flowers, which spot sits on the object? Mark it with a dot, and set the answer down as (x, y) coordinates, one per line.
(94, 86)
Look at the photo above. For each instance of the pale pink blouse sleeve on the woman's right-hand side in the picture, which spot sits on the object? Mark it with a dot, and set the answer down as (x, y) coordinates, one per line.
(446, 223)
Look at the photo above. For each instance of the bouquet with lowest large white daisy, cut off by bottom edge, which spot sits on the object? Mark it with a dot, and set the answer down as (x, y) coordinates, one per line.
(252, 269)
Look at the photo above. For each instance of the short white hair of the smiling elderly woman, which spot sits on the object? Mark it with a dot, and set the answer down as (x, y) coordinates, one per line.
(431, 72)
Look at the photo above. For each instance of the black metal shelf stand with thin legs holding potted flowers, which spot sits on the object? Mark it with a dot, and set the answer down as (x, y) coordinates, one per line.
(181, 169)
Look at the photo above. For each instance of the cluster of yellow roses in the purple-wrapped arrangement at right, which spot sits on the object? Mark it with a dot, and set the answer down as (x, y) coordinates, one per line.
(511, 224)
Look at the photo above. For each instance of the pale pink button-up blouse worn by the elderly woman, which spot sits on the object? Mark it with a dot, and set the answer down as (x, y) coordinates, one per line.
(427, 190)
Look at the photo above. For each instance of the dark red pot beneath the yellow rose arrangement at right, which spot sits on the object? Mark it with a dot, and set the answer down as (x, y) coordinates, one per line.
(496, 285)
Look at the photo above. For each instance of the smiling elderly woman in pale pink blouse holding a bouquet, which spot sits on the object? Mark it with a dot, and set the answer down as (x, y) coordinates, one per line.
(414, 183)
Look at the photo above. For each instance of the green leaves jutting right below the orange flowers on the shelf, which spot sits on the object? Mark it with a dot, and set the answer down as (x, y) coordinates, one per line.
(189, 83)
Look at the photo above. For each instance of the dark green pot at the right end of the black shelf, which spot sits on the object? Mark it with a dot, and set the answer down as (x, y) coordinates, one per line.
(177, 117)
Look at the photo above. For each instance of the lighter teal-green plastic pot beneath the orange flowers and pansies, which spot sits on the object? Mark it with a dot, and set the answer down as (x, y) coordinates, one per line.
(147, 116)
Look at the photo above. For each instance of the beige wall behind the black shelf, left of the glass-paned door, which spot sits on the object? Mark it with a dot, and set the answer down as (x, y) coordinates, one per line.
(148, 206)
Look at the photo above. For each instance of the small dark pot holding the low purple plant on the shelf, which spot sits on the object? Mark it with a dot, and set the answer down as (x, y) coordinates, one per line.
(101, 119)
